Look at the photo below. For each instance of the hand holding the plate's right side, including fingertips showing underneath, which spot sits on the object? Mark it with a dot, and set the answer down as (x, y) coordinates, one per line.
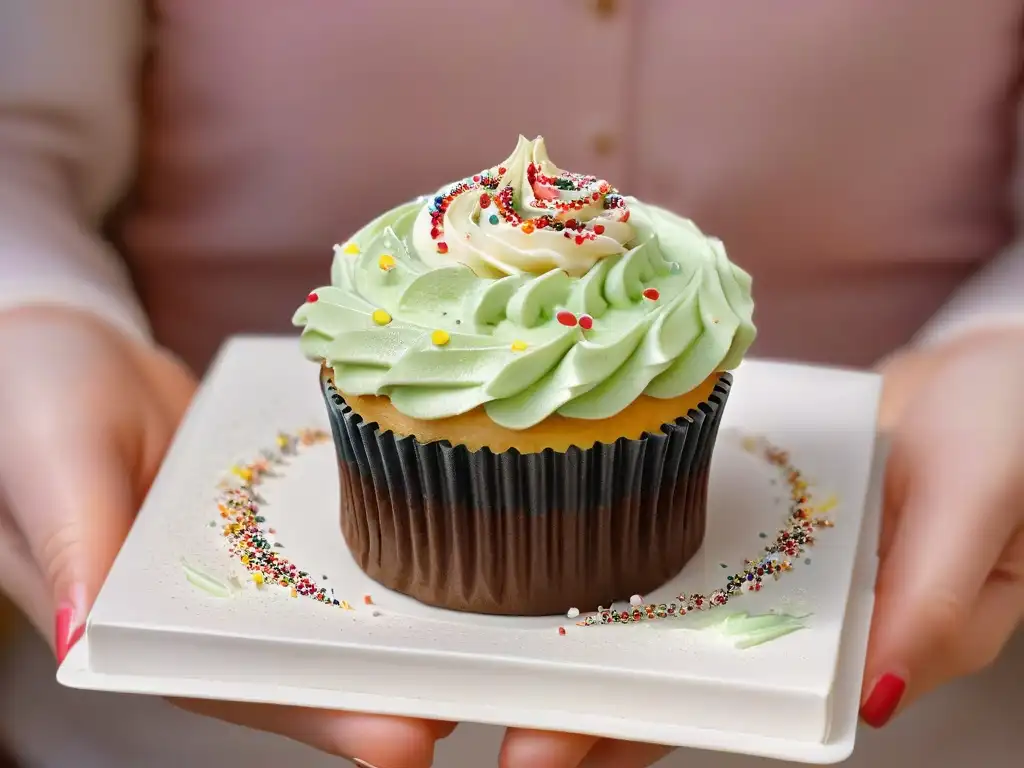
(951, 588)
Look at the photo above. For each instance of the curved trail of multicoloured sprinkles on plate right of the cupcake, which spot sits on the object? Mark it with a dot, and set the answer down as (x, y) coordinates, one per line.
(777, 560)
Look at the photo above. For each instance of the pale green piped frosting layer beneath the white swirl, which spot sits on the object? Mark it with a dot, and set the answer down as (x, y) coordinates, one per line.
(504, 346)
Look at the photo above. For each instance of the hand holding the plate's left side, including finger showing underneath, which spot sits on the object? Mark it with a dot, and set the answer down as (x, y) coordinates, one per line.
(87, 415)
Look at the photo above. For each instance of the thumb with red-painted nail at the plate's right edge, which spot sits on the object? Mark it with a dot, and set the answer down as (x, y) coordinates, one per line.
(952, 527)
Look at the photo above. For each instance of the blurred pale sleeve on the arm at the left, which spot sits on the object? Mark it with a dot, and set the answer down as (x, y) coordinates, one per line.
(69, 75)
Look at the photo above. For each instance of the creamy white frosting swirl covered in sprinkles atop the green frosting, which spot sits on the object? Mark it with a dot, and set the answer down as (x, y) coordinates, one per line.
(525, 217)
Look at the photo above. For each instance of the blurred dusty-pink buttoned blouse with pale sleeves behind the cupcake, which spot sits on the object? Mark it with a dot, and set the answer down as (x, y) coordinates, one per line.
(856, 156)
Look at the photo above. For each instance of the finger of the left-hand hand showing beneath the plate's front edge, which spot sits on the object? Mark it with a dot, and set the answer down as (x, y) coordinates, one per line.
(378, 741)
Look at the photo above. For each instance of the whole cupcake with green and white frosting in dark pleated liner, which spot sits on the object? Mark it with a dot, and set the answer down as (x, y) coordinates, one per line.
(526, 375)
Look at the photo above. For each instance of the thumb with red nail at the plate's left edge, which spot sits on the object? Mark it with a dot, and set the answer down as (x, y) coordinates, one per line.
(71, 497)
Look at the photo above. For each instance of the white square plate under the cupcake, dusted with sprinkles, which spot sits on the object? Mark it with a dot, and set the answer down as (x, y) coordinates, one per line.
(154, 632)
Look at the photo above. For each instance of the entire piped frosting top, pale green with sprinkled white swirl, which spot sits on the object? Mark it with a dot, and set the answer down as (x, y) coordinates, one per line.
(529, 291)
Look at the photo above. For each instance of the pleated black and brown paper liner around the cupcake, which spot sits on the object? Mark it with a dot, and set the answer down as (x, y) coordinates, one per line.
(525, 534)
